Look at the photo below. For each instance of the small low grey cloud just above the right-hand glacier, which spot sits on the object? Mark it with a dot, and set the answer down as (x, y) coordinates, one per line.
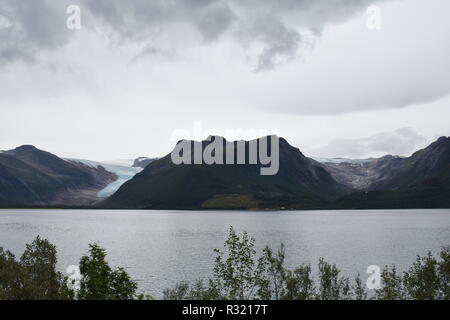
(403, 141)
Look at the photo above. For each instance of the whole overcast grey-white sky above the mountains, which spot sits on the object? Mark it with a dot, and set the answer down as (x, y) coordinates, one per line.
(137, 71)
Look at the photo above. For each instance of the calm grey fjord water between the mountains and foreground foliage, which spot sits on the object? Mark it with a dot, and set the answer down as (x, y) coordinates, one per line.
(160, 248)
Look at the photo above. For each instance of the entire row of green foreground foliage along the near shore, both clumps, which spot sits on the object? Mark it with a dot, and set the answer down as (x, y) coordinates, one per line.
(239, 273)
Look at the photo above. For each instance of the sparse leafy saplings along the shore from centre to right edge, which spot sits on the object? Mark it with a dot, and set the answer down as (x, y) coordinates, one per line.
(240, 274)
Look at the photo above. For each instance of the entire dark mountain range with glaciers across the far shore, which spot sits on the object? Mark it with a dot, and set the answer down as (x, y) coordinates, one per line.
(32, 177)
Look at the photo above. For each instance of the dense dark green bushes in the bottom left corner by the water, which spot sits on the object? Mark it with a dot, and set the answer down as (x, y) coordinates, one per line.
(34, 276)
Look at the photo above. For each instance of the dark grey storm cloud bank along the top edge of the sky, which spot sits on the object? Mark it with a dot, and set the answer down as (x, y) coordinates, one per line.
(274, 24)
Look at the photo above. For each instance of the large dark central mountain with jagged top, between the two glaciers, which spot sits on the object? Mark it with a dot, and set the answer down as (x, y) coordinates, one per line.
(300, 182)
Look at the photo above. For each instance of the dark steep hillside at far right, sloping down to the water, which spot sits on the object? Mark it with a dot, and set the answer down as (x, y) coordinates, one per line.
(419, 181)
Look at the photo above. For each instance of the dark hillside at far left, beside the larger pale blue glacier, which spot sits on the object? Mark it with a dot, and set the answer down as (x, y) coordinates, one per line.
(29, 176)
